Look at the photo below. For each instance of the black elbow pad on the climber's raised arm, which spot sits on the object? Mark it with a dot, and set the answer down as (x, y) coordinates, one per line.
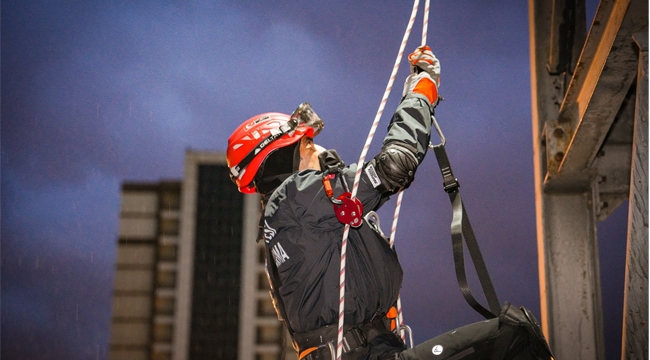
(393, 169)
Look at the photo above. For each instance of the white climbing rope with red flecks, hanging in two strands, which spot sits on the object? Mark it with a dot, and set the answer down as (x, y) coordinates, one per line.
(362, 158)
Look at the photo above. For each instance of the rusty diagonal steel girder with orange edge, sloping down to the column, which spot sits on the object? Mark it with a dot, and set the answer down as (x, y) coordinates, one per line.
(602, 78)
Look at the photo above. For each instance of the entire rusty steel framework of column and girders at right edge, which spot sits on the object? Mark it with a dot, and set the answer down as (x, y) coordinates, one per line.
(582, 154)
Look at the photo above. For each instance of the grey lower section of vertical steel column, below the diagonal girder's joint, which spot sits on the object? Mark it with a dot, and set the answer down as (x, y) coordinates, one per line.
(572, 278)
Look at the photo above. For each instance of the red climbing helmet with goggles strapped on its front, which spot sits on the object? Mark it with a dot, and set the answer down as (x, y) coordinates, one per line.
(252, 142)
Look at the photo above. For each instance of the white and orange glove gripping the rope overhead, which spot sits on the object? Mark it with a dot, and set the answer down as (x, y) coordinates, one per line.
(425, 74)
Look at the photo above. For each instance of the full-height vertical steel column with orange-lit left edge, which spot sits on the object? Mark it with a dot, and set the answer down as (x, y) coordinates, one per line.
(571, 311)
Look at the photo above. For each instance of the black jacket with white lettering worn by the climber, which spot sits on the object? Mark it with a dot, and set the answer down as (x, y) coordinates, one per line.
(303, 237)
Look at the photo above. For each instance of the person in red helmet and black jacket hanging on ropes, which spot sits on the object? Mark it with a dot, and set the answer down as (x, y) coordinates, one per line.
(306, 204)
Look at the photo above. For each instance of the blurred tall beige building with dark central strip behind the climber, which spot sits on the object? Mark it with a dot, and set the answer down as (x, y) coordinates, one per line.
(190, 281)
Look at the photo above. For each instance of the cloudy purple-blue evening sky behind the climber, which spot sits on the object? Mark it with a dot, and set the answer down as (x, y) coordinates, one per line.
(95, 93)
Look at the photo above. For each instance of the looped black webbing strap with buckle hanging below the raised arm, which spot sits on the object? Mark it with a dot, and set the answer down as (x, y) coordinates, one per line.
(461, 228)
